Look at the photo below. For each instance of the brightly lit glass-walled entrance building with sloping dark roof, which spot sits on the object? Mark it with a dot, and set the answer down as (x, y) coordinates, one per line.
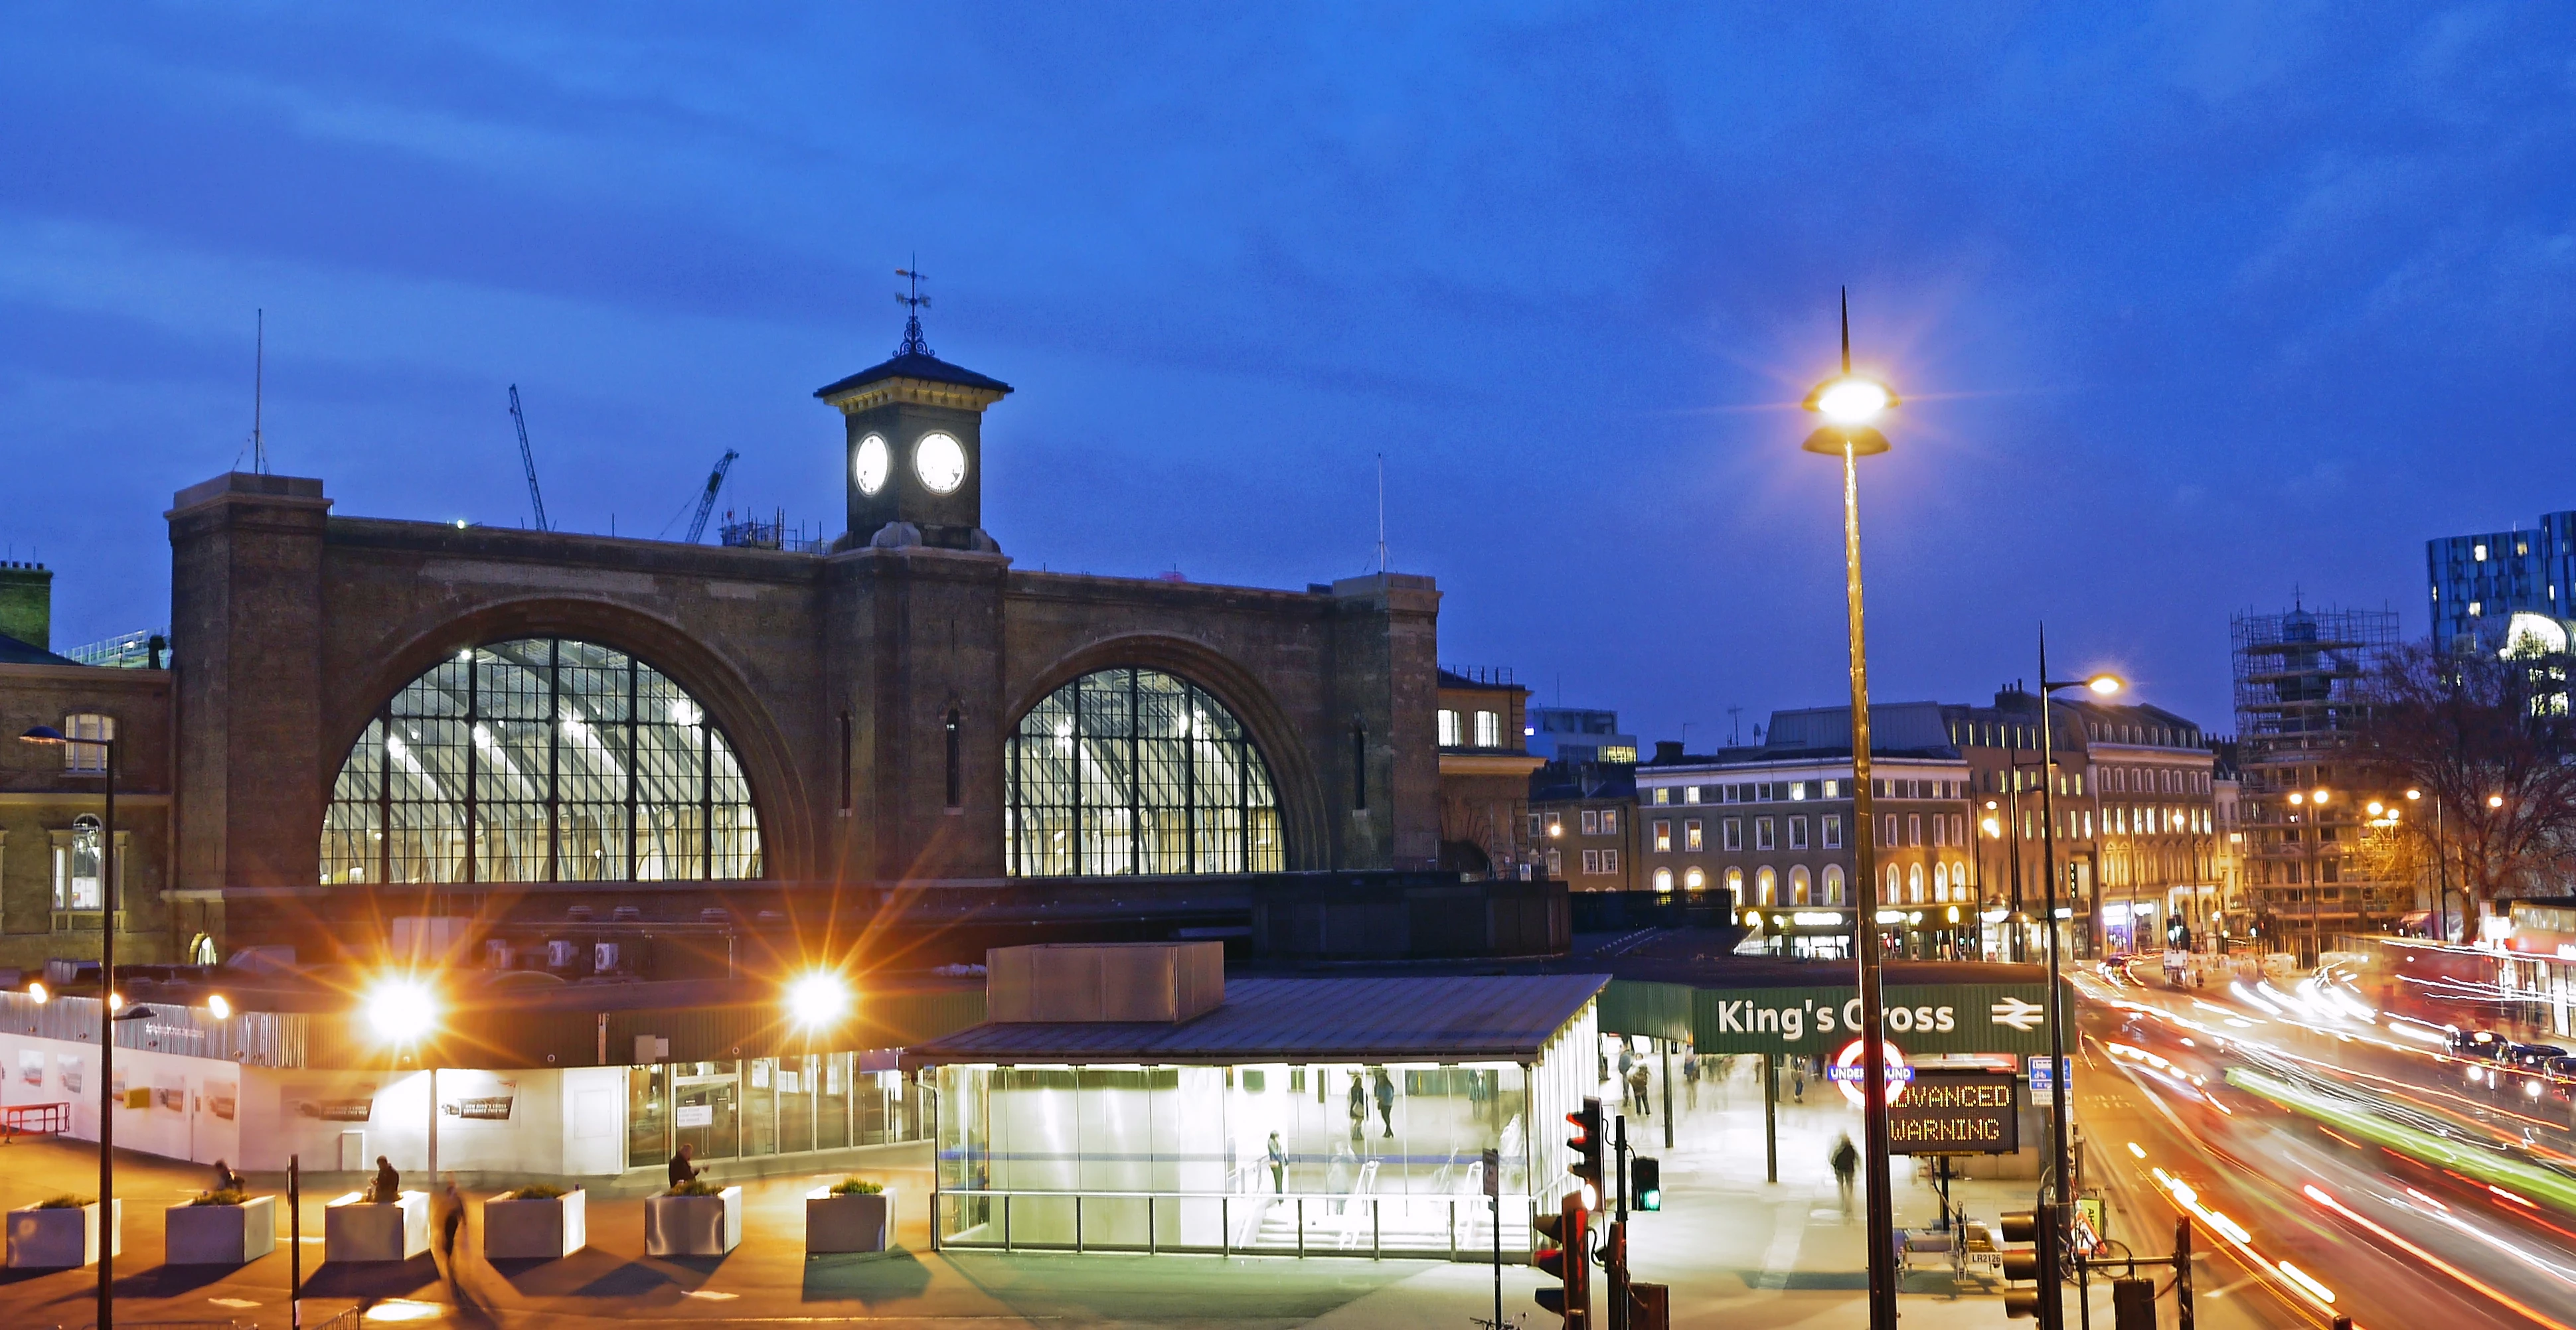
(1294, 1117)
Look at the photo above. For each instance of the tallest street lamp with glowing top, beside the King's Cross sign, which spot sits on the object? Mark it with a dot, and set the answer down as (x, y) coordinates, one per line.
(1851, 403)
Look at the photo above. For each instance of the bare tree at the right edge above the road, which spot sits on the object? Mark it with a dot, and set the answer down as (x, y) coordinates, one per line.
(2492, 744)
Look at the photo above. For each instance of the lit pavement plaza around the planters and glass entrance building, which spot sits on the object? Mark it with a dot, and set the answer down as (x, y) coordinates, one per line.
(1735, 1249)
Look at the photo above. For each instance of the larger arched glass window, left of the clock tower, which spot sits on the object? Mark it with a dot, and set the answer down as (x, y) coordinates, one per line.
(542, 762)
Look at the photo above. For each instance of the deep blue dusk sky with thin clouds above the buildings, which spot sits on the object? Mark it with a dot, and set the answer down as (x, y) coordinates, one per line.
(2193, 305)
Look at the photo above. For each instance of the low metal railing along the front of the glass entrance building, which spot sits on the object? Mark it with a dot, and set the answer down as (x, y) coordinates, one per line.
(1325, 1223)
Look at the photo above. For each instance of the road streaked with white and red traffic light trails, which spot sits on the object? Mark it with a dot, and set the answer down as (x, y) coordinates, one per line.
(2322, 1218)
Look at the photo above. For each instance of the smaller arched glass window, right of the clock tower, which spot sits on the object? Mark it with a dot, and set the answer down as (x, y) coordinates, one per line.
(1137, 772)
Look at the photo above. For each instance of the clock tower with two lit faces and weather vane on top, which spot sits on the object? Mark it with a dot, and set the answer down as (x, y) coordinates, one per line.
(916, 445)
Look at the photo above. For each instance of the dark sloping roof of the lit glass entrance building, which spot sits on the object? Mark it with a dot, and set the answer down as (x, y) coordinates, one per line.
(1377, 1019)
